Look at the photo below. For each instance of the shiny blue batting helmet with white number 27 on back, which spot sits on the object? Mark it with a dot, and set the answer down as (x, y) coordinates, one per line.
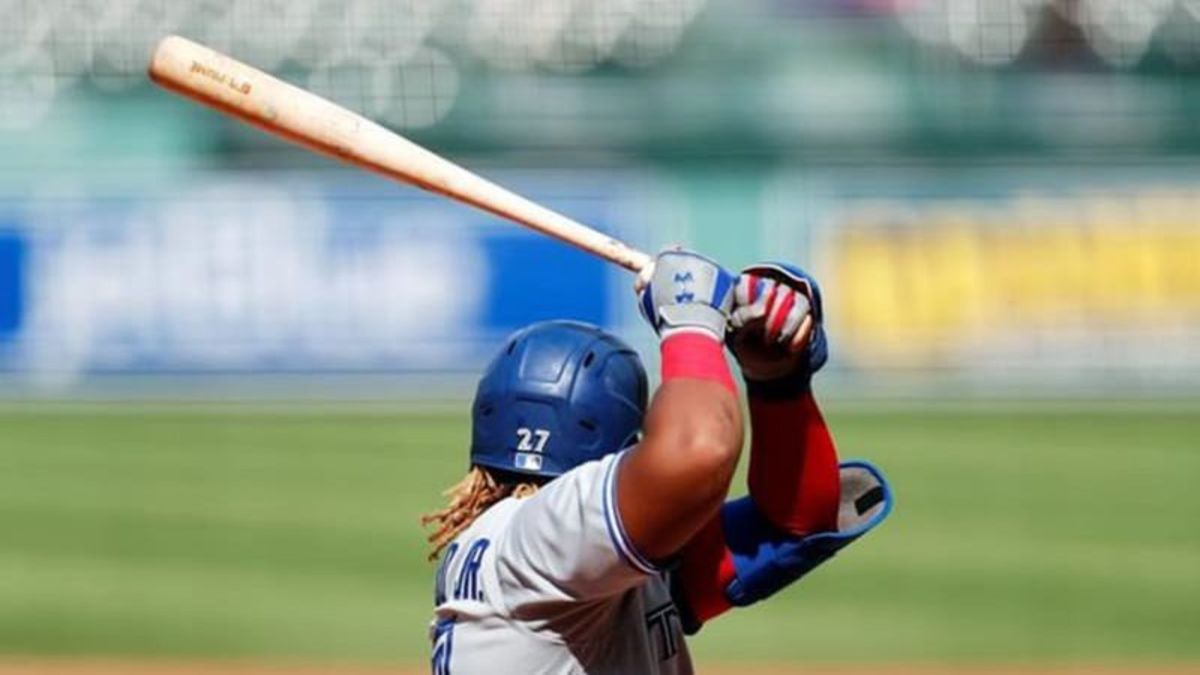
(560, 393)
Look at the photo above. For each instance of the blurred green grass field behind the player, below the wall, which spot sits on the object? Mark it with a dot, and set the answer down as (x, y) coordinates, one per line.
(1053, 535)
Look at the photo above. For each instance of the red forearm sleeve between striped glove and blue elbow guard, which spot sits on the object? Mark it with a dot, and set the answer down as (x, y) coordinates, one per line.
(794, 465)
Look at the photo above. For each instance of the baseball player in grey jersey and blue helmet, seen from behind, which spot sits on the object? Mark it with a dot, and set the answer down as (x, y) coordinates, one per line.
(593, 531)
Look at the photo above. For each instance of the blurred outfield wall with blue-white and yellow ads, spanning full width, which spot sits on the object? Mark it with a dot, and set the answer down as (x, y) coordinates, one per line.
(335, 273)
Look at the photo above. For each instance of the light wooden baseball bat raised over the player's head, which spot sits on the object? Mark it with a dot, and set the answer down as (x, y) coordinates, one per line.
(302, 117)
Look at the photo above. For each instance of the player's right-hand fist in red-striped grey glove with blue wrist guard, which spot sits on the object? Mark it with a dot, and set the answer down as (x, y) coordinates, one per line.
(778, 336)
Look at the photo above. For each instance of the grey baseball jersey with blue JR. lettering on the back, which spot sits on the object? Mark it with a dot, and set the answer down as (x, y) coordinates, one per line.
(551, 586)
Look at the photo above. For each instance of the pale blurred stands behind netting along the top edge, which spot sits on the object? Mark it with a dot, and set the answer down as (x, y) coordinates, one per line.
(406, 62)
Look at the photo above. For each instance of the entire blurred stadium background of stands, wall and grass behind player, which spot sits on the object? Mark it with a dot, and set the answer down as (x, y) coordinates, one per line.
(233, 374)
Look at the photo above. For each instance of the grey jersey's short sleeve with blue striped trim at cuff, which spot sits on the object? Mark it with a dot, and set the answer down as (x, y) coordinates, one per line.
(567, 542)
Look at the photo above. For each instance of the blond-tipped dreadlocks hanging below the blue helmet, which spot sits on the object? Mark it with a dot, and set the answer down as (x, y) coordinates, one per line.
(470, 499)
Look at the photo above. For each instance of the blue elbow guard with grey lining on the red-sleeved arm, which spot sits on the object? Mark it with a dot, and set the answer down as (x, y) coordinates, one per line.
(766, 559)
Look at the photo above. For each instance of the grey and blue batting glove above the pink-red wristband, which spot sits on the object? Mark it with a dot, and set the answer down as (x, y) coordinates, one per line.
(687, 292)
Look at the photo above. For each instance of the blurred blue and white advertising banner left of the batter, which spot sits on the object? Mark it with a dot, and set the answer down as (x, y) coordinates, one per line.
(267, 274)
